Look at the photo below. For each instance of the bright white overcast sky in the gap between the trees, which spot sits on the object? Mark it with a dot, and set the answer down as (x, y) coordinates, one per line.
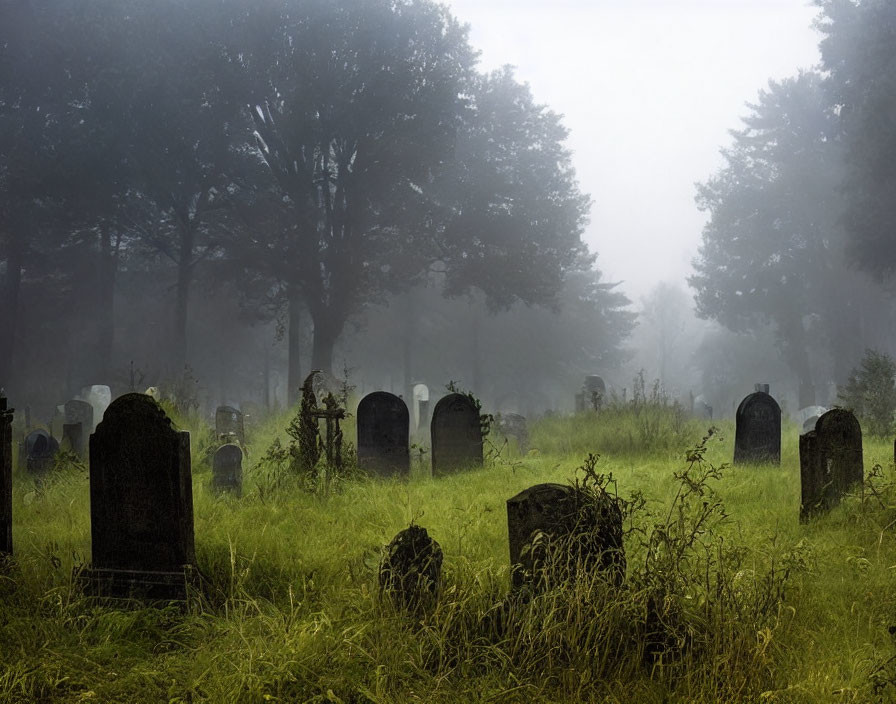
(649, 90)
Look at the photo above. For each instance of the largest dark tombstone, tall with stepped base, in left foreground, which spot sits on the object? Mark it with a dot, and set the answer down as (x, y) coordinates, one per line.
(141, 503)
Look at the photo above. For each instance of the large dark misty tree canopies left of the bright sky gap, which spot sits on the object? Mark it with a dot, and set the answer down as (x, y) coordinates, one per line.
(298, 162)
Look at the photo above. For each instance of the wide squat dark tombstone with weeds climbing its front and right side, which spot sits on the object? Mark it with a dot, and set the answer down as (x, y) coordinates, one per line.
(554, 530)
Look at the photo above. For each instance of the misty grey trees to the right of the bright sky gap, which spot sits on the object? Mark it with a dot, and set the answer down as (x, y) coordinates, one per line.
(801, 235)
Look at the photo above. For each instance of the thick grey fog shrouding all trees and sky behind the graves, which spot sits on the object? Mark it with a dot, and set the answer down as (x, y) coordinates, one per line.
(214, 198)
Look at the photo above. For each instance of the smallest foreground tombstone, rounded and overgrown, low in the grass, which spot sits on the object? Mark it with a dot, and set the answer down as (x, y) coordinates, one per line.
(411, 569)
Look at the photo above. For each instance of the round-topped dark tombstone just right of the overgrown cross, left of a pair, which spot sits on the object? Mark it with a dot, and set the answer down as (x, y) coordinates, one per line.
(383, 429)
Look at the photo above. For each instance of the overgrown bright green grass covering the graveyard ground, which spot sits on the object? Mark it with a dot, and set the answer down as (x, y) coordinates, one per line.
(757, 607)
